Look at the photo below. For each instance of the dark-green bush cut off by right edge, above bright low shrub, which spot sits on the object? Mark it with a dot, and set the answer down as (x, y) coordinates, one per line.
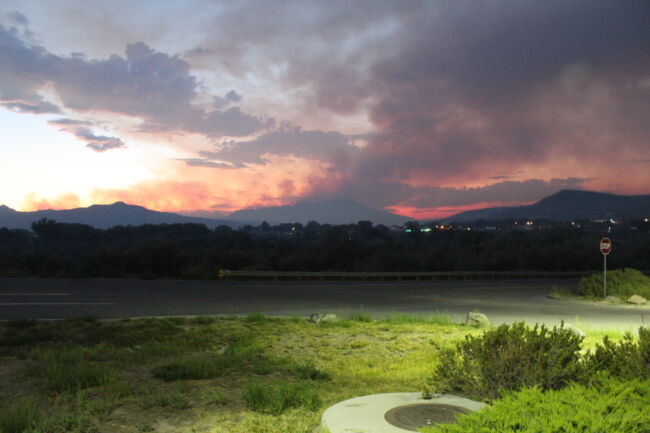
(626, 359)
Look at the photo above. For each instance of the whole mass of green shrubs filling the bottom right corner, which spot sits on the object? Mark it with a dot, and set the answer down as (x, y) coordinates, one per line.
(539, 380)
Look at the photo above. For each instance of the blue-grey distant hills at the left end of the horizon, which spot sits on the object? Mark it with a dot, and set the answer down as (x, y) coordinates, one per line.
(103, 216)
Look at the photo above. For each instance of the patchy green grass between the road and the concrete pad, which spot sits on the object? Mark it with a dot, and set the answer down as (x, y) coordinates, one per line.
(209, 374)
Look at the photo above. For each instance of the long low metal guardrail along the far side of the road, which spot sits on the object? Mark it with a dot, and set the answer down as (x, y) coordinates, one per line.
(393, 276)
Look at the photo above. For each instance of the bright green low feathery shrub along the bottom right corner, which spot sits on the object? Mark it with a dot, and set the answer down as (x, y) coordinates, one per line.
(611, 406)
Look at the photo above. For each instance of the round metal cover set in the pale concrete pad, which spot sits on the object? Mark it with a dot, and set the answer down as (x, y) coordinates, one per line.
(414, 416)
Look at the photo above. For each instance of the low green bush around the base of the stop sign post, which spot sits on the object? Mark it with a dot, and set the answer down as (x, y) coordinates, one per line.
(620, 282)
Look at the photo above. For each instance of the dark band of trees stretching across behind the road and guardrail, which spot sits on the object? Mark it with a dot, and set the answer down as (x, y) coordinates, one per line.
(192, 251)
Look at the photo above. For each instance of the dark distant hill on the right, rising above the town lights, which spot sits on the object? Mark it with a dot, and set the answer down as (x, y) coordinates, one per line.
(567, 205)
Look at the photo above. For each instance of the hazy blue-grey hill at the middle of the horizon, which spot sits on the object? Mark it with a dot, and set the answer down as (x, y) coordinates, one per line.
(324, 212)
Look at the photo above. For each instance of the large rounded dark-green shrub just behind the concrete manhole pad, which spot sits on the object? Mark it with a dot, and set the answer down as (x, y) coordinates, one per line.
(509, 357)
